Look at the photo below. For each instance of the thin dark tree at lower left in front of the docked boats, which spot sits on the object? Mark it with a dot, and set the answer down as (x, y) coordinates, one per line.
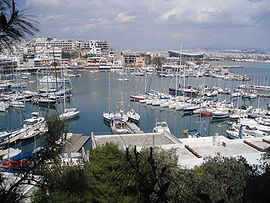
(54, 142)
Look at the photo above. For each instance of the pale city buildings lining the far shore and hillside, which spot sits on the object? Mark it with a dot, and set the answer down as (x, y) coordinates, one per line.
(94, 54)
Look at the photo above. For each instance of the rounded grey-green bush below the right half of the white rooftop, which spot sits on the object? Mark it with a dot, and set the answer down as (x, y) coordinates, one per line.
(217, 179)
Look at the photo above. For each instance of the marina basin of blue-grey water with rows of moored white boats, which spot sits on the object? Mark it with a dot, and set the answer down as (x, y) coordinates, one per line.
(202, 106)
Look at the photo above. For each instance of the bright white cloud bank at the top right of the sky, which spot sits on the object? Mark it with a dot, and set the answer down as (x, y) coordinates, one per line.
(240, 12)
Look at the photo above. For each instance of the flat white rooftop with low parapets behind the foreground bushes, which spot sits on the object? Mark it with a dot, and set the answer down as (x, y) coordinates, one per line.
(190, 151)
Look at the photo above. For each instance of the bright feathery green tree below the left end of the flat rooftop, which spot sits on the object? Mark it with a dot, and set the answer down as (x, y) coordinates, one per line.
(105, 173)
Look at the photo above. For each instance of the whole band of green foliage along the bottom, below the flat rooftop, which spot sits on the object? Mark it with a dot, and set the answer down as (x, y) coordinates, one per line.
(151, 175)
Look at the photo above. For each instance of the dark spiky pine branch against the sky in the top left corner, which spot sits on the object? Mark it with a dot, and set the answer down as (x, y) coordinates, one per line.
(15, 25)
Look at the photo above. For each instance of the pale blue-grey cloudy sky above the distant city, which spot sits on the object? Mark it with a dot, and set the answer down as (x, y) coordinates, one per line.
(157, 24)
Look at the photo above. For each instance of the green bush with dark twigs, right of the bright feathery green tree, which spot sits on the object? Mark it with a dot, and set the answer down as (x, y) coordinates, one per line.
(152, 172)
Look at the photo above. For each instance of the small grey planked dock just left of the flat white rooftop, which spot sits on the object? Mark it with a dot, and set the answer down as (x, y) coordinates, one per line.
(75, 142)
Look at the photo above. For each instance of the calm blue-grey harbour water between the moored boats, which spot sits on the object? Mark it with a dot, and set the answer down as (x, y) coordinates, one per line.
(91, 97)
